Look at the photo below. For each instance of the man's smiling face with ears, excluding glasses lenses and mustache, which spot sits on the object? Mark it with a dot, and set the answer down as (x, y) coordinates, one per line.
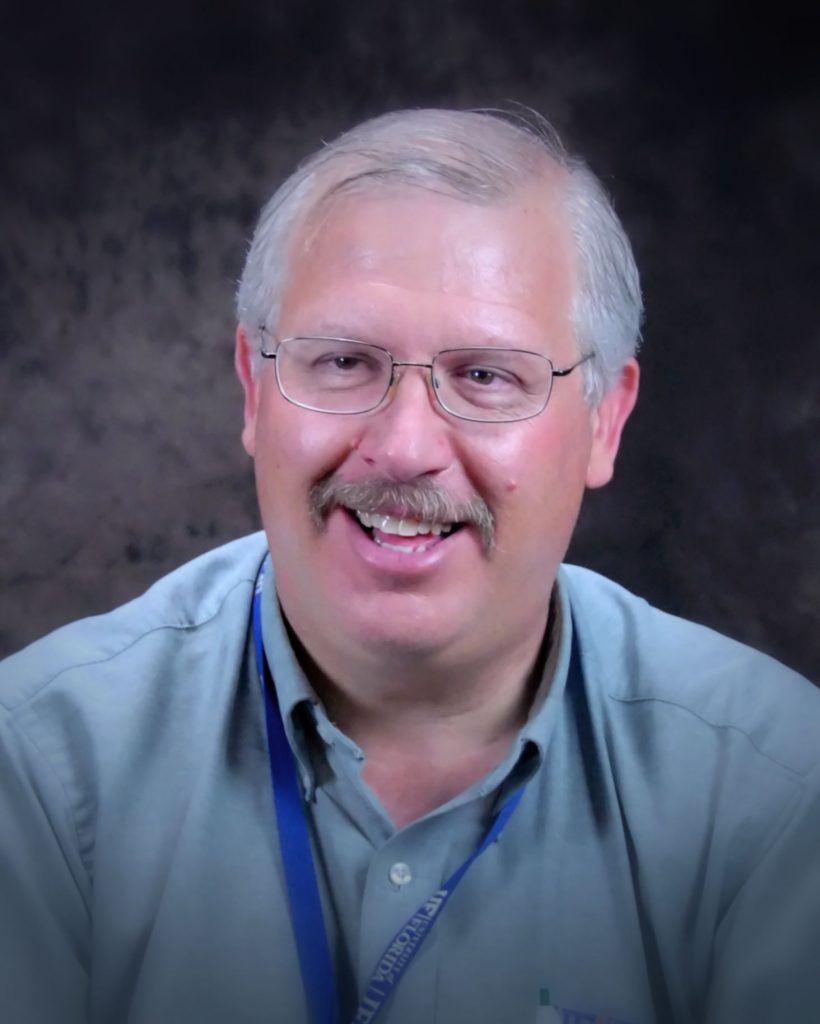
(417, 274)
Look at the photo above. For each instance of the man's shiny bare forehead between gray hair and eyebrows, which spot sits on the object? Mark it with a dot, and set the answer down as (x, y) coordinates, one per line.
(419, 249)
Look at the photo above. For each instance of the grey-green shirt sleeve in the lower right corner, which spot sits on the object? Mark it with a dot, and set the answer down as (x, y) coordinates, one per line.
(767, 963)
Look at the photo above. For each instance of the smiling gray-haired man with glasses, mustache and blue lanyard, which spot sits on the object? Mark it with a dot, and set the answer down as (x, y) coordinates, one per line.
(393, 759)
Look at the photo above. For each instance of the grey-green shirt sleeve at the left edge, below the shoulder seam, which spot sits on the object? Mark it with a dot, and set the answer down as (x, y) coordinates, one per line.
(45, 918)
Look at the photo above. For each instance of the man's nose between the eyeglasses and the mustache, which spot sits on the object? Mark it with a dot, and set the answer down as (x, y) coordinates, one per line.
(410, 437)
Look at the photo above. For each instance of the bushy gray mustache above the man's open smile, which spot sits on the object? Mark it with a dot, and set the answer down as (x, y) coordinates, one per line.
(423, 500)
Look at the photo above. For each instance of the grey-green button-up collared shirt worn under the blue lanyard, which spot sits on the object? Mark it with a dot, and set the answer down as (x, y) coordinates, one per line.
(663, 865)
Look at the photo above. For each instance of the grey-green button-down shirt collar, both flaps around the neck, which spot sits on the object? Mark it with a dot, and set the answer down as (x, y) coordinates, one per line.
(306, 719)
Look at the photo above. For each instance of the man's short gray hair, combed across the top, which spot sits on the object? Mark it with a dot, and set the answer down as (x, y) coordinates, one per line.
(483, 157)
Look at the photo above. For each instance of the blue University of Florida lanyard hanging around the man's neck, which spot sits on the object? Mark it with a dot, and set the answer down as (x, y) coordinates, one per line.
(300, 874)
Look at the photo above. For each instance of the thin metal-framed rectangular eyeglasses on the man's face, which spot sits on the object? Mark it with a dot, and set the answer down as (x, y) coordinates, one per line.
(348, 377)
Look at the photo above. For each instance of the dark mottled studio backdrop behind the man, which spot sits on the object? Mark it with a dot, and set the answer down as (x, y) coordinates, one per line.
(138, 147)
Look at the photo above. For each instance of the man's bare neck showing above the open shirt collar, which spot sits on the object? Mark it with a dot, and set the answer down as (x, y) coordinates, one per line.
(429, 728)
